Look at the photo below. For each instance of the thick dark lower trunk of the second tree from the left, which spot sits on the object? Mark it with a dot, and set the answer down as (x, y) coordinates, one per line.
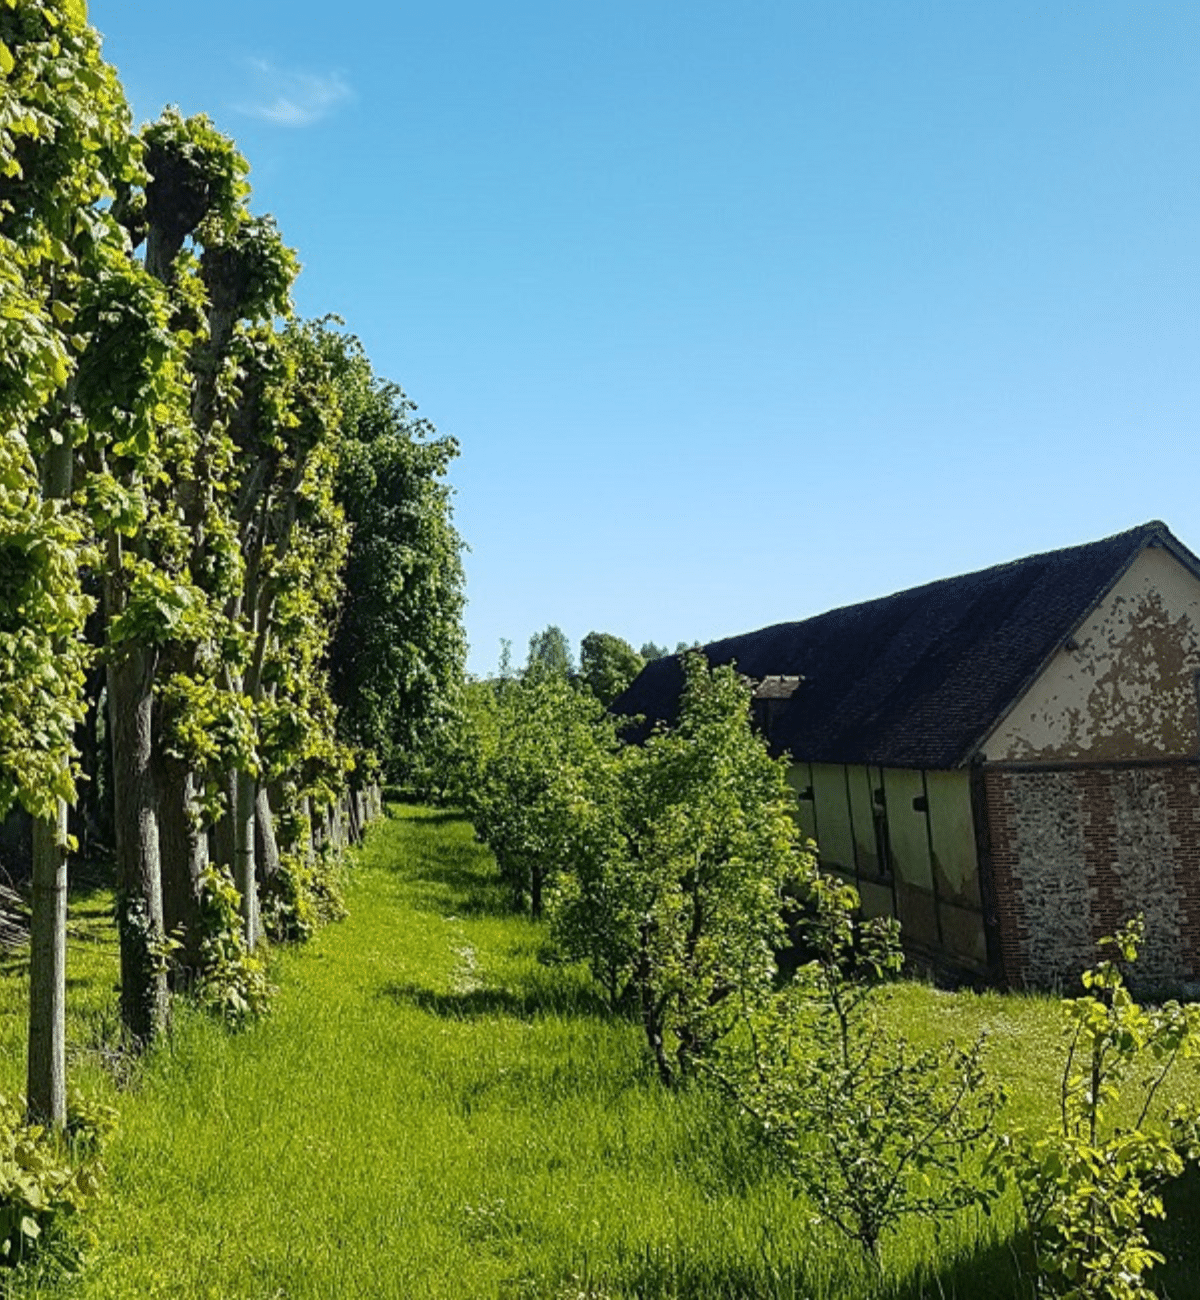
(140, 881)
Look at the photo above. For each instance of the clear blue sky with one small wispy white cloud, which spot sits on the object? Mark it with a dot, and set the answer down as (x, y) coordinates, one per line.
(738, 313)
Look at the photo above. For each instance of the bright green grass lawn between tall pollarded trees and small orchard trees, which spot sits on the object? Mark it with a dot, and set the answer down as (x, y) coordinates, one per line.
(436, 1112)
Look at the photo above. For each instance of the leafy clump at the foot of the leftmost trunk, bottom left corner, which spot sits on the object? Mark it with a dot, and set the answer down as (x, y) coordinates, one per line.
(45, 1181)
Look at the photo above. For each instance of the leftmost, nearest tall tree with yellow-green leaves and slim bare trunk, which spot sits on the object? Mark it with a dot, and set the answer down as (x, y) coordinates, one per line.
(64, 148)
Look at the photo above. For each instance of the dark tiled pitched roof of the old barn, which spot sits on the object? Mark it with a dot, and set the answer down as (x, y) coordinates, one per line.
(916, 679)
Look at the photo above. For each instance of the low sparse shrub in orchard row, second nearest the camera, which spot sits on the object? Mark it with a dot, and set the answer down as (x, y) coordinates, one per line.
(874, 1130)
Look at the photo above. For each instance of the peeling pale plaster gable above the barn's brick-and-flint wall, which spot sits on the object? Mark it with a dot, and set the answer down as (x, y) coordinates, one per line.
(1129, 691)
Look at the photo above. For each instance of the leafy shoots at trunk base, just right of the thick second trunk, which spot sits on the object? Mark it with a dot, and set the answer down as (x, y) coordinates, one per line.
(232, 982)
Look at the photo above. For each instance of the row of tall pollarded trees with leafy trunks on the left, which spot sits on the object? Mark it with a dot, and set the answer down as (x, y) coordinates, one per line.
(218, 526)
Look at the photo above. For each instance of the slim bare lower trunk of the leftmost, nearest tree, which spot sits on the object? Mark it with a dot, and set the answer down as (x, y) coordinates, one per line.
(47, 981)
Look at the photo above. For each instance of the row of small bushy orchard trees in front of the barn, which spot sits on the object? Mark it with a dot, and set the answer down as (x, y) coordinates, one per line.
(677, 872)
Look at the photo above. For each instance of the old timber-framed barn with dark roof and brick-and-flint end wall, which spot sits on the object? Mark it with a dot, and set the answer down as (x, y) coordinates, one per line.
(1007, 761)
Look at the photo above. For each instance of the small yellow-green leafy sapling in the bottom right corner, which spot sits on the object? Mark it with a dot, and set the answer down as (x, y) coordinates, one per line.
(1089, 1189)
